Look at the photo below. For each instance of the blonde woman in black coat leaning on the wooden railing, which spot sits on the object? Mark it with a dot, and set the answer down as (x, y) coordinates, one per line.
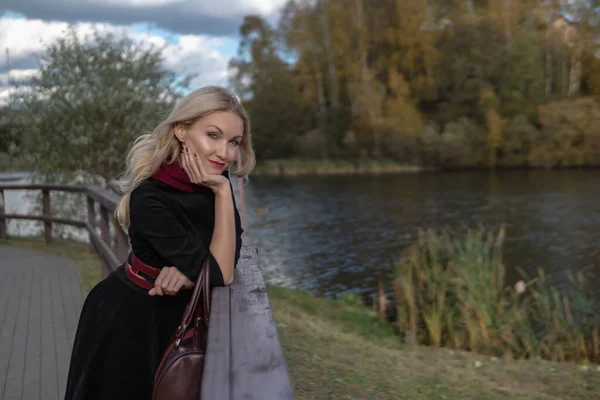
(178, 208)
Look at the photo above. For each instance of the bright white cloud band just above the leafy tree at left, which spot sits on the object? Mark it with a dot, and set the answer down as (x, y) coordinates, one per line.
(196, 54)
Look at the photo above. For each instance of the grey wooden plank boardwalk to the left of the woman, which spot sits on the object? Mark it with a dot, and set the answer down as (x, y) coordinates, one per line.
(40, 301)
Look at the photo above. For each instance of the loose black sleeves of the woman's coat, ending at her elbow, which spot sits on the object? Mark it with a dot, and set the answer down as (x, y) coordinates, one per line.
(159, 227)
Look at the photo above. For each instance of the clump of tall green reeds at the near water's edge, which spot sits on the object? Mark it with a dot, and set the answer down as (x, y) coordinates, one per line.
(451, 292)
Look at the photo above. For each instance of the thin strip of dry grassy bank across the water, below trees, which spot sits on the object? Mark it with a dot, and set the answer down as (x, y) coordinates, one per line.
(297, 166)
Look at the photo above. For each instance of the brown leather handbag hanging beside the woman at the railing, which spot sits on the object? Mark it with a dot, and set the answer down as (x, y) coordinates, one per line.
(179, 374)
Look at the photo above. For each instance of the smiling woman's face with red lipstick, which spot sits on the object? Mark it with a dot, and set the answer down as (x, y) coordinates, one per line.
(214, 140)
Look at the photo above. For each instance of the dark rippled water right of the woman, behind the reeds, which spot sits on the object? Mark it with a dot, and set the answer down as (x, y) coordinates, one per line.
(334, 234)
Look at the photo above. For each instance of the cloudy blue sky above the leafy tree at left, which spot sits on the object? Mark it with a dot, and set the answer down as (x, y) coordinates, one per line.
(201, 35)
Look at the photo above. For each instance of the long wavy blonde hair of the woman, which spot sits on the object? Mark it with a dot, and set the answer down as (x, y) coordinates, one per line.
(151, 150)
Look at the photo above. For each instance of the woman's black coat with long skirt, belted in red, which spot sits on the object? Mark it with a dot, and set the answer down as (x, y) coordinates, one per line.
(123, 331)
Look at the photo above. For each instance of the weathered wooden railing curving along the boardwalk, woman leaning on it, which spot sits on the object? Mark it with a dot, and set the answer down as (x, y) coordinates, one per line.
(244, 358)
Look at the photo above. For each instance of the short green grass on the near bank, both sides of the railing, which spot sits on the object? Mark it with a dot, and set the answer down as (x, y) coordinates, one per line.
(337, 349)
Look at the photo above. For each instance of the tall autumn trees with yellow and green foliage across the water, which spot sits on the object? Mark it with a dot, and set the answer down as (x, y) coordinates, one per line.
(448, 83)
